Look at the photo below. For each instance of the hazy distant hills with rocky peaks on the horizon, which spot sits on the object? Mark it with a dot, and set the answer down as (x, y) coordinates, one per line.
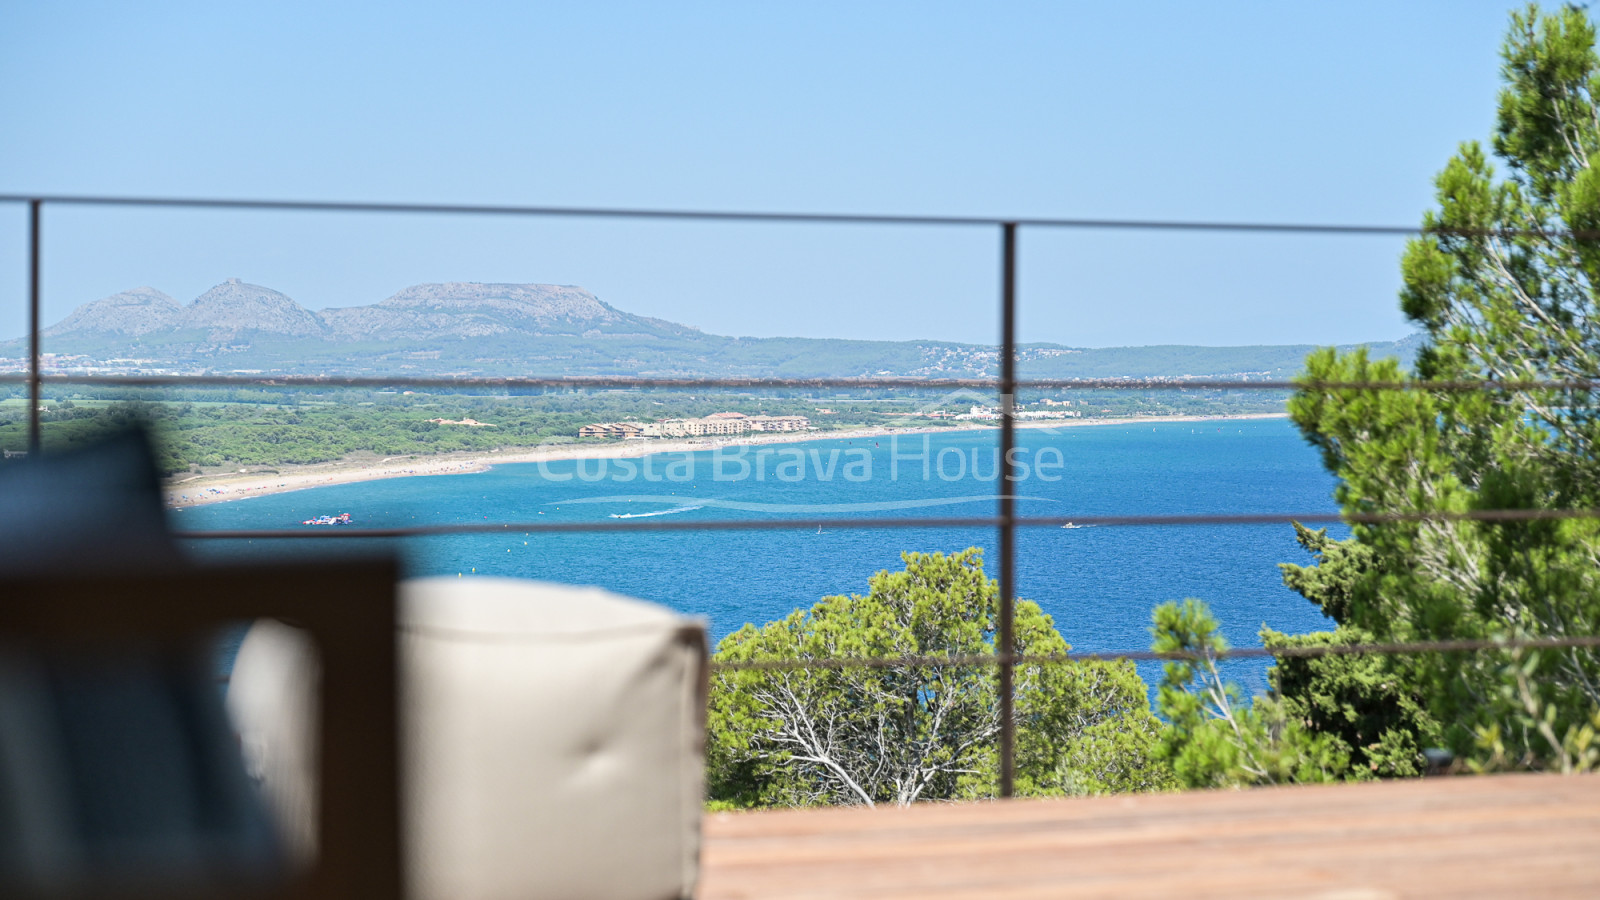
(497, 329)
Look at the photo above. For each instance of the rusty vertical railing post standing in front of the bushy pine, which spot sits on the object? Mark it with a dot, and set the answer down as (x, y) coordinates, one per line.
(1006, 633)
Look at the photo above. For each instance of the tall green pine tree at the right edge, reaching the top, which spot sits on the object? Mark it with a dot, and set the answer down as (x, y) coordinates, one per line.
(1505, 286)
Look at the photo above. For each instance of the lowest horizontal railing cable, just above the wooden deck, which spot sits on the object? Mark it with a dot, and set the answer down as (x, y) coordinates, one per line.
(1465, 646)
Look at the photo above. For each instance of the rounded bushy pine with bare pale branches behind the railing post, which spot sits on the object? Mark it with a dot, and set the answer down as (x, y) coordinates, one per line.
(906, 733)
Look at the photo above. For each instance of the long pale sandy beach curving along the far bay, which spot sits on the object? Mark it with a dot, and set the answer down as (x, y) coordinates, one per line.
(198, 491)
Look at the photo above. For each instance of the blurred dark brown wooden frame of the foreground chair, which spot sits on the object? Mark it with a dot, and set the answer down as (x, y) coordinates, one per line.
(346, 608)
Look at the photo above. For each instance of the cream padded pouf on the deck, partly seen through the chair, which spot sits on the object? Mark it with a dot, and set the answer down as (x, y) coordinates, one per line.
(553, 739)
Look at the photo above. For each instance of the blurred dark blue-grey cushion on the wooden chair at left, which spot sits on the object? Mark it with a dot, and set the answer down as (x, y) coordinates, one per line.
(118, 765)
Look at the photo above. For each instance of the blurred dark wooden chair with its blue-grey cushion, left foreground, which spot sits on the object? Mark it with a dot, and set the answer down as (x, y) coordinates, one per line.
(119, 769)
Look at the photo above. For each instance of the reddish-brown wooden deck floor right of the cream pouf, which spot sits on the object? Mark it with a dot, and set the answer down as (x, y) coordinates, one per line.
(1487, 837)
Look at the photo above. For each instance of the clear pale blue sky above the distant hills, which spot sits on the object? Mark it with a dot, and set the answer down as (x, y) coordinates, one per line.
(1337, 113)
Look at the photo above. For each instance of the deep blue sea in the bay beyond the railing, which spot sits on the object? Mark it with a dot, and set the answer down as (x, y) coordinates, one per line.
(1100, 584)
